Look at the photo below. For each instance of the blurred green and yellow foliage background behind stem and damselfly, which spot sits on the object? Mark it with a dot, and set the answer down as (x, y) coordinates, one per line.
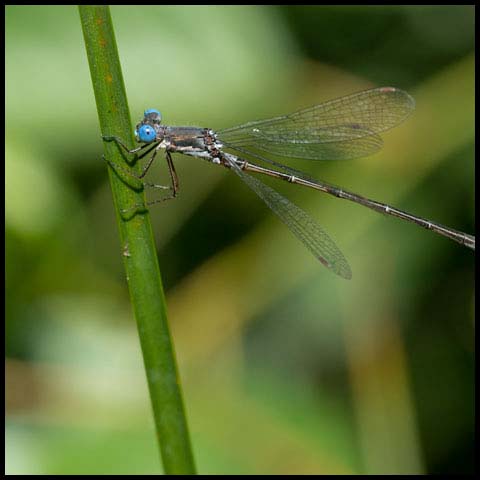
(286, 369)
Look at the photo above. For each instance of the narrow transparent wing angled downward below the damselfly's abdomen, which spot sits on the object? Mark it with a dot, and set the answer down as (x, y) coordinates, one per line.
(304, 227)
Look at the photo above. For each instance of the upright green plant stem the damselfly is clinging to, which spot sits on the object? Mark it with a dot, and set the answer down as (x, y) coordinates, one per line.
(138, 248)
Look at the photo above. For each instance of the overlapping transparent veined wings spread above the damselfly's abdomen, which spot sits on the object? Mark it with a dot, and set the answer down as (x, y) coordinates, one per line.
(346, 127)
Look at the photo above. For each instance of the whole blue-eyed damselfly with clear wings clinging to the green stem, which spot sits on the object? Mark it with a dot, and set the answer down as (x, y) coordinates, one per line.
(346, 127)
